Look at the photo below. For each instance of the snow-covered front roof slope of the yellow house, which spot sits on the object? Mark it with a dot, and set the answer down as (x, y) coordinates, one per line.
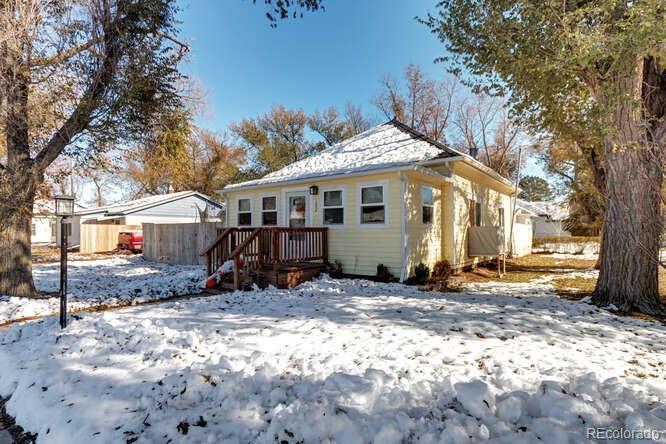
(388, 145)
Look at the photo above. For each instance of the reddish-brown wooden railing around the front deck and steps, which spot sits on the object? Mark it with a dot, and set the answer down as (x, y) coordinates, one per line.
(252, 248)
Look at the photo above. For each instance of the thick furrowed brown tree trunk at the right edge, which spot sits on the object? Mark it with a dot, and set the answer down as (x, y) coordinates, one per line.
(628, 277)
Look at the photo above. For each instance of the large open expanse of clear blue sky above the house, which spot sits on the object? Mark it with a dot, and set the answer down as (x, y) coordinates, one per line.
(320, 60)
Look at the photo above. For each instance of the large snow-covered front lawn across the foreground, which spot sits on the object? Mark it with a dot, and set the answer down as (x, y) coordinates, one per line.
(340, 361)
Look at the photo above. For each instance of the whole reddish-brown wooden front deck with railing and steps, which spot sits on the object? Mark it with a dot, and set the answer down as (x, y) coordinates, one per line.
(282, 257)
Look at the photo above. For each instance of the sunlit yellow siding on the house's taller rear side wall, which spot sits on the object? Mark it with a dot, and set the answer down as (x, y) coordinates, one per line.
(469, 183)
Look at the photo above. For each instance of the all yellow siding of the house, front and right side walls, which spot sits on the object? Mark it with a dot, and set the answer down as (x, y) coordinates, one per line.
(361, 247)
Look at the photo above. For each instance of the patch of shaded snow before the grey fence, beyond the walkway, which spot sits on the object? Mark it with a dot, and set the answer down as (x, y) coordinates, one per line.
(113, 281)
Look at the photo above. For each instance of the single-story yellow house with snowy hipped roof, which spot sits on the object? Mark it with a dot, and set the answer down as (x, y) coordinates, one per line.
(389, 195)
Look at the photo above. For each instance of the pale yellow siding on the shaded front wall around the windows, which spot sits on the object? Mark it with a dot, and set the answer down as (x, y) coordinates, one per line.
(359, 247)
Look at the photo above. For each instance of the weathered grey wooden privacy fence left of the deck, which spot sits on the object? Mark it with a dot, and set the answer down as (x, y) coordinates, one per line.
(178, 244)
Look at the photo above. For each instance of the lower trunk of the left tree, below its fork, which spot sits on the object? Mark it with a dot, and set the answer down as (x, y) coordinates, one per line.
(16, 200)
